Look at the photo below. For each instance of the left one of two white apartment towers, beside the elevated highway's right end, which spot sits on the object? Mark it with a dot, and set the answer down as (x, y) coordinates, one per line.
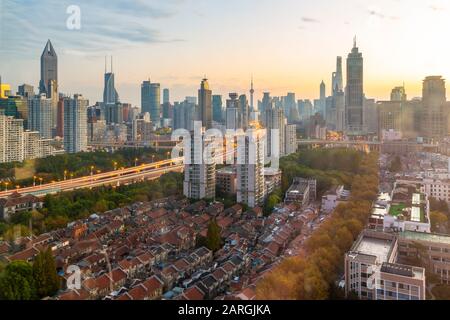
(199, 176)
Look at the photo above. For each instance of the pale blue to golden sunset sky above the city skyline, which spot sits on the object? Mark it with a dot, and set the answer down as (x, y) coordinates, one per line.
(288, 45)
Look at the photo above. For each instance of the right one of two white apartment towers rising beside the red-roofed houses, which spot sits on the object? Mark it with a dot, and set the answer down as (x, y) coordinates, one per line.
(250, 168)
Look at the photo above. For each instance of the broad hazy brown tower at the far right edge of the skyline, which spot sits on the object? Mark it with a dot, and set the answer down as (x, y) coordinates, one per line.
(434, 115)
